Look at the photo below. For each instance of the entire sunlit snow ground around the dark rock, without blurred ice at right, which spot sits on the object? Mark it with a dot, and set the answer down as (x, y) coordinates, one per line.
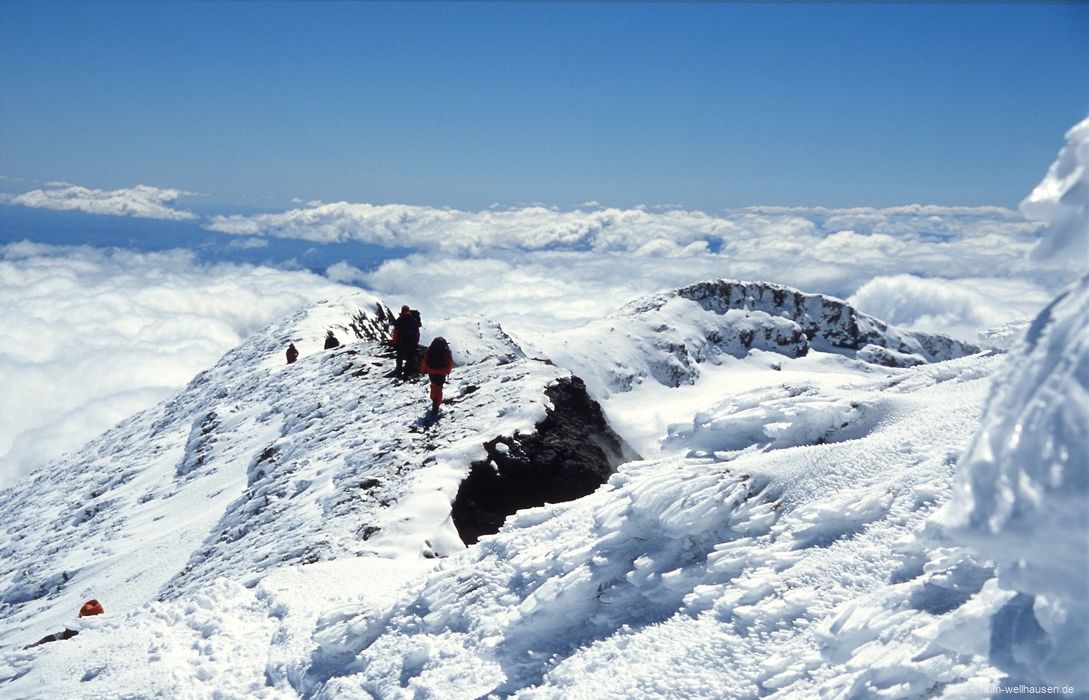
(723, 567)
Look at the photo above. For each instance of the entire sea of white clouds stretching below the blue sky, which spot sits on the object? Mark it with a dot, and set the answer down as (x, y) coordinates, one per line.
(95, 335)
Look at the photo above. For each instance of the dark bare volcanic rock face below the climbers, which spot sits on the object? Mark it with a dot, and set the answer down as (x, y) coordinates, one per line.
(571, 455)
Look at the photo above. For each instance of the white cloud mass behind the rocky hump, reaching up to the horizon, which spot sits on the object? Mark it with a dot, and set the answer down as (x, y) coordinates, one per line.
(958, 271)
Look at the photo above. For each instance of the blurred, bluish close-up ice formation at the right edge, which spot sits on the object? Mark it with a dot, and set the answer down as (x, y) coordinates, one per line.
(1023, 496)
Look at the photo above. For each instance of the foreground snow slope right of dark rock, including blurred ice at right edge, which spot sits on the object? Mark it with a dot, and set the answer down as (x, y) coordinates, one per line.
(790, 570)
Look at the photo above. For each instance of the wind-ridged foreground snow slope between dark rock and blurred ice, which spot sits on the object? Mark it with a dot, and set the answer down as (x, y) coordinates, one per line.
(687, 578)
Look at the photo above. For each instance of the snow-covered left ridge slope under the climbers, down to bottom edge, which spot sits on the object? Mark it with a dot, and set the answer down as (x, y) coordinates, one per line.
(204, 505)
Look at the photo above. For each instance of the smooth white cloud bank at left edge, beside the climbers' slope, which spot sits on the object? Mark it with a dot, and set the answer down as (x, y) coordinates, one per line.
(93, 336)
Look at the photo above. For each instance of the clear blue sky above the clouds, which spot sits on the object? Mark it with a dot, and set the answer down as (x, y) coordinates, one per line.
(703, 105)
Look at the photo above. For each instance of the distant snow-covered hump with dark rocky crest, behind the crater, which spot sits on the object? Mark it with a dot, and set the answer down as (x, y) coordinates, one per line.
(666, 337)
